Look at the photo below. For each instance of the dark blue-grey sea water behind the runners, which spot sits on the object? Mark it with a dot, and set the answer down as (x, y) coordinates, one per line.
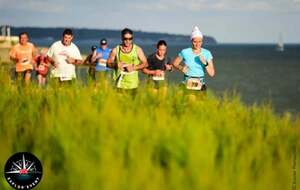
(257, 72)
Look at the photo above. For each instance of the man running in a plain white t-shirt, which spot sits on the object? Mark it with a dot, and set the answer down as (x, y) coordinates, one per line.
(64, 55)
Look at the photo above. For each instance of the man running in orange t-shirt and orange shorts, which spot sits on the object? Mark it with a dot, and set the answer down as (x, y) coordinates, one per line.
(23, 55)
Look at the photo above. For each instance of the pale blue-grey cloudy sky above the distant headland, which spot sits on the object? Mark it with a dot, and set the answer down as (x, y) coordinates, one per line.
(228, 21)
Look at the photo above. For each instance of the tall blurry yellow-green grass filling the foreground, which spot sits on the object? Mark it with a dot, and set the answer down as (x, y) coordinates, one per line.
(96, 138)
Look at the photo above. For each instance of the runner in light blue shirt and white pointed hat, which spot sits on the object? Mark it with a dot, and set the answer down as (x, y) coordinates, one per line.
(196, 61)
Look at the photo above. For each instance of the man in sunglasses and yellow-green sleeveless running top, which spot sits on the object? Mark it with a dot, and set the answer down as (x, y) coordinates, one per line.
(126, 59)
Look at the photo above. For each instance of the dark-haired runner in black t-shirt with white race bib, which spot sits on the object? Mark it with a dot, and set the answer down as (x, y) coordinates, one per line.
(158, 64)
